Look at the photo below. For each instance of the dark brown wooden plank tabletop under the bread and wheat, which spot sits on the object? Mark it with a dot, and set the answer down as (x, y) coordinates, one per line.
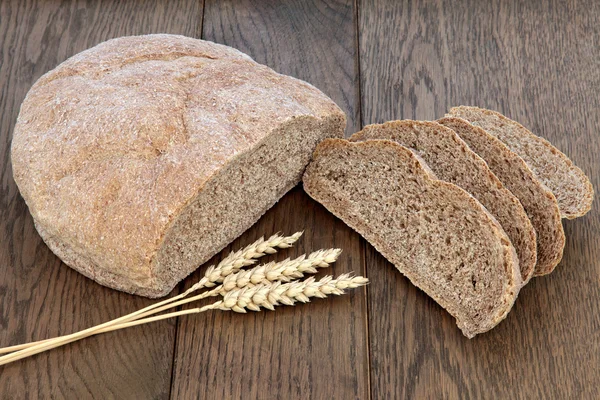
(536, 61)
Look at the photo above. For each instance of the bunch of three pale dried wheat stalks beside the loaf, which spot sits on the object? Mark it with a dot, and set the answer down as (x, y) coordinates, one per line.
(263, 286)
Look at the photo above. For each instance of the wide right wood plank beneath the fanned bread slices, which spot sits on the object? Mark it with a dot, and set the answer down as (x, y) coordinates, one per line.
(538, 62)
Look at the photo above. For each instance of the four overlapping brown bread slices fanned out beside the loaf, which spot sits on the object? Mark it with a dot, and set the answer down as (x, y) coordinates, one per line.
(468, 207)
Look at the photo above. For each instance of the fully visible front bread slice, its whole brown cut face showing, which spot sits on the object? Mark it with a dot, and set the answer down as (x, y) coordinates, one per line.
(434, 232)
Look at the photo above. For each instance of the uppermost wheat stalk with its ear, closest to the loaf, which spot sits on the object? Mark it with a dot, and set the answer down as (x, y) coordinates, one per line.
(214, 274)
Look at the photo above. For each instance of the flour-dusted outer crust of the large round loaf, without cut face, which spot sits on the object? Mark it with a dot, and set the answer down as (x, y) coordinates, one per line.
(113, 143)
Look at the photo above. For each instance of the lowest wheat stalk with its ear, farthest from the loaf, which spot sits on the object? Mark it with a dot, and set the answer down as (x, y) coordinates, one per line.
(263, 295)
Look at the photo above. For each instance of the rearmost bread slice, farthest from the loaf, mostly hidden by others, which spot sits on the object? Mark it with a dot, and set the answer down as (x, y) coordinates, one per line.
(572, 189)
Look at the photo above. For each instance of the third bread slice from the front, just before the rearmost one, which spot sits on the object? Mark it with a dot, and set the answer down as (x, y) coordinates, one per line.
(539, 202)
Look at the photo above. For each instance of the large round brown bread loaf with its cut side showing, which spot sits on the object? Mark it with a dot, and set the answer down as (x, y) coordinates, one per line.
(144, 156)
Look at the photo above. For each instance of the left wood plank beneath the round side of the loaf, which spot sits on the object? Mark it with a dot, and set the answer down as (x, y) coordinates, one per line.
(39, 296)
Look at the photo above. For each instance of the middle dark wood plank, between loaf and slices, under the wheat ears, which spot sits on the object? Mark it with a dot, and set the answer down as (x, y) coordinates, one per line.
(318, 350)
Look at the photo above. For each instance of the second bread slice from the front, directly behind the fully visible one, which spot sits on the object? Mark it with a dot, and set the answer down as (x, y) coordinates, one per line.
(453, 161)
